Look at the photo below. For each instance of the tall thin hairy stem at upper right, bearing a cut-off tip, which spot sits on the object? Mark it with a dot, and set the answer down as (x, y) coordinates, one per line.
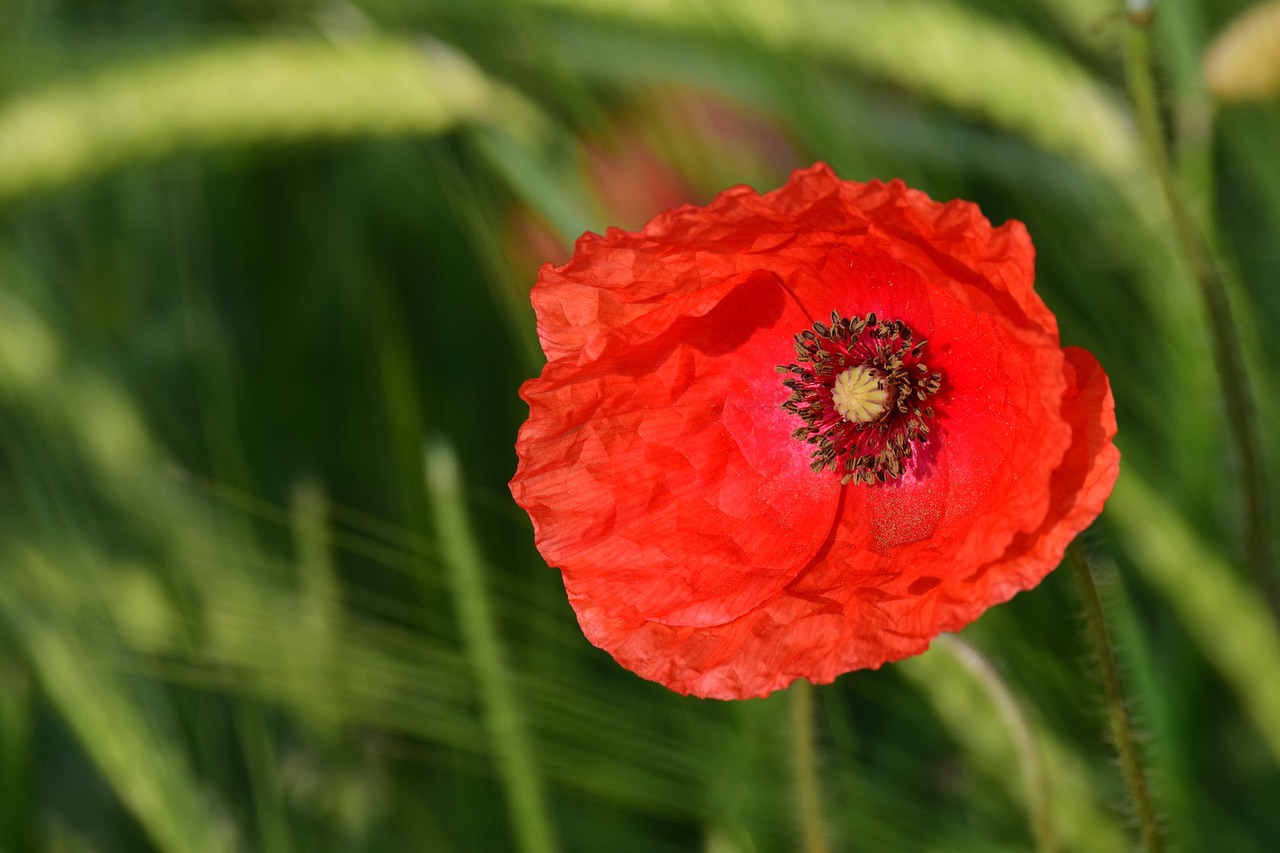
(1228, 353)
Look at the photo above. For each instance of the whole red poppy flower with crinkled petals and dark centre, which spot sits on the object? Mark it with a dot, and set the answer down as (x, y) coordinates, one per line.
(797, 435)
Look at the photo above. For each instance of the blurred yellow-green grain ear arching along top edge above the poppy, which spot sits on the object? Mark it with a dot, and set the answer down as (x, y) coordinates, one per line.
(939, 49)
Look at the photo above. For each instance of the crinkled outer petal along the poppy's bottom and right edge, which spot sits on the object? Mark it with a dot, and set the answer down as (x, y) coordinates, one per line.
(828, 624)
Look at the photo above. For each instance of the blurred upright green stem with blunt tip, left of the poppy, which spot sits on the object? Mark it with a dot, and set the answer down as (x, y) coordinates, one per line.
(511, 747)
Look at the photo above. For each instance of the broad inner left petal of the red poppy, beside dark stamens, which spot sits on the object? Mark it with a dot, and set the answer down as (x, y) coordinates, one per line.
(661, 476)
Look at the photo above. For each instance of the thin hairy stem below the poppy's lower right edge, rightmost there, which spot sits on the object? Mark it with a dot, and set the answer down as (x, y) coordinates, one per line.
(1118, 715)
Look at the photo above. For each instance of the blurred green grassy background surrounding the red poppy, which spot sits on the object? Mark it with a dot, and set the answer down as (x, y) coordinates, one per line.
(264, 275)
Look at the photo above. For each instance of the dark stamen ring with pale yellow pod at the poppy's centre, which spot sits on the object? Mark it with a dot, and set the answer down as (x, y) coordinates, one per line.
(860, 387)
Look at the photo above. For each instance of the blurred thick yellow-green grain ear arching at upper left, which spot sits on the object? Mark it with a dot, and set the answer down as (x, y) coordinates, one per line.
(266, 92)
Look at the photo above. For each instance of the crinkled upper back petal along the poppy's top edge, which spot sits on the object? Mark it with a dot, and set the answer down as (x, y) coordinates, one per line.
(621, 276)
